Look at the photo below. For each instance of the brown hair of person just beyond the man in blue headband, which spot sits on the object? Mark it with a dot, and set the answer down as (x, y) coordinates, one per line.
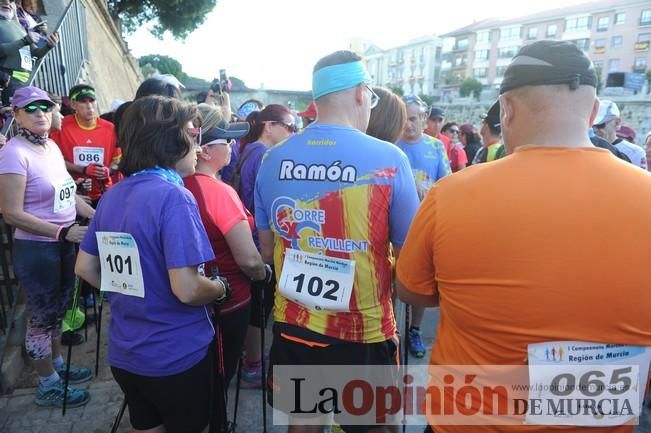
(388, 118)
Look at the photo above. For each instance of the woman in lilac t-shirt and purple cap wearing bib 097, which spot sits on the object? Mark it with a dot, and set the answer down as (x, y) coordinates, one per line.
(38, 198)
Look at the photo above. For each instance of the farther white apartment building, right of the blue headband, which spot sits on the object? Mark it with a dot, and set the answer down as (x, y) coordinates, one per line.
(413, 67)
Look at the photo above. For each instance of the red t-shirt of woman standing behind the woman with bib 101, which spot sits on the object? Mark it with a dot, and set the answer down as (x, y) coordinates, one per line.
(221, 209)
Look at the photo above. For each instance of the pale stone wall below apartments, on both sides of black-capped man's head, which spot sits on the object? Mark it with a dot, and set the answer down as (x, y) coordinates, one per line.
(635, 112)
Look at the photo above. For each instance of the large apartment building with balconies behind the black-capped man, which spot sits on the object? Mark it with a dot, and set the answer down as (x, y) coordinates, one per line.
(616, 35)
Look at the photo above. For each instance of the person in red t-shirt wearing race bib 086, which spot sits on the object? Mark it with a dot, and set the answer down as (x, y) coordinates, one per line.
(88, 143)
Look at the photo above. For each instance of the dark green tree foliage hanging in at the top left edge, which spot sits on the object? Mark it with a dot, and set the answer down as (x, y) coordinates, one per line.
(179, 17)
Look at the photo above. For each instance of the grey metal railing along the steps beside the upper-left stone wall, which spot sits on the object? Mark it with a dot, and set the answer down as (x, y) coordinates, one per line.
(61, 67)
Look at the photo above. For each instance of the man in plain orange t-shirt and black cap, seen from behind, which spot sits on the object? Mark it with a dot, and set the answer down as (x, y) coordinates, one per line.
(534, 256)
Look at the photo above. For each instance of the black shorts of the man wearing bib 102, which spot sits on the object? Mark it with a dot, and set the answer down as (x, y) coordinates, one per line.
(286, 351)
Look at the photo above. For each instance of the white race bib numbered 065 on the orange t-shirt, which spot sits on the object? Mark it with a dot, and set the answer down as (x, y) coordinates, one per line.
(586, 384)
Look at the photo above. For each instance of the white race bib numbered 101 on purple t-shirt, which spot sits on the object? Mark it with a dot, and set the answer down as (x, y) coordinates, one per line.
(120, 262)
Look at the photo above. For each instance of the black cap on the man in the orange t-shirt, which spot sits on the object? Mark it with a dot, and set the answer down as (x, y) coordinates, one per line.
(549, 62)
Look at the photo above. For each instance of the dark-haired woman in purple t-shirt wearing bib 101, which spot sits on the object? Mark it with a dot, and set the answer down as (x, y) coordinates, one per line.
(148, 240)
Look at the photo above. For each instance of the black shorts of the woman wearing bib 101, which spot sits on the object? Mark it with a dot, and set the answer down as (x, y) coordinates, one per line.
(181, 402)
